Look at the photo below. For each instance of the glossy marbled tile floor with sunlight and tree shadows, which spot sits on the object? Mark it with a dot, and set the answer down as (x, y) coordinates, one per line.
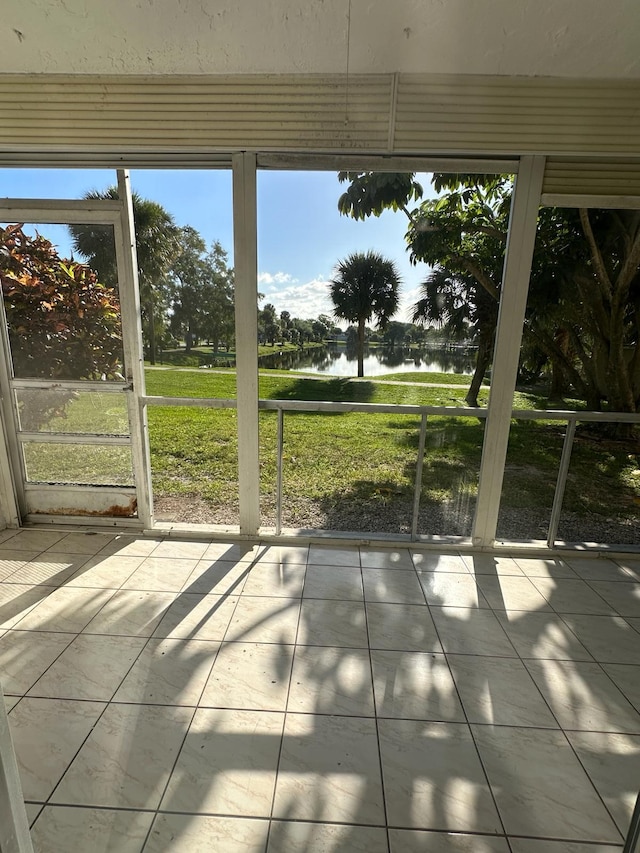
(189, 696)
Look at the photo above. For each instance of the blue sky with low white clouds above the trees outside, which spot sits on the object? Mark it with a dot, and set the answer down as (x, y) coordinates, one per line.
(301, 235)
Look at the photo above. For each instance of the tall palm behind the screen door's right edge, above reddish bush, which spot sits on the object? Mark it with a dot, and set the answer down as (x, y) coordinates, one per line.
(158, 244)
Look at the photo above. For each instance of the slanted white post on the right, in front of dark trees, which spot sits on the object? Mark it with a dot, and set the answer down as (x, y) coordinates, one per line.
(513, 302)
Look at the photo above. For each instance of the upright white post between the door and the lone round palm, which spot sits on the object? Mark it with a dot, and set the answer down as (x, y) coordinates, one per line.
(245, 261)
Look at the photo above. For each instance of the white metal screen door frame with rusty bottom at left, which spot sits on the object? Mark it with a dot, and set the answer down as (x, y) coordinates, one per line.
(119, 215)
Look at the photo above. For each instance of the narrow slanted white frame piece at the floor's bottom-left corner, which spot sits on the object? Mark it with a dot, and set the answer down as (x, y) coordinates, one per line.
(14, 828)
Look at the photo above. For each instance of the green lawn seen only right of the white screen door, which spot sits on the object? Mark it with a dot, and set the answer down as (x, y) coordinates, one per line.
(372, 457)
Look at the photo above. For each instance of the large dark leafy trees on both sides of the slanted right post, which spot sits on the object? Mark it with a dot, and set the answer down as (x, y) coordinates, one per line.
(583, 313)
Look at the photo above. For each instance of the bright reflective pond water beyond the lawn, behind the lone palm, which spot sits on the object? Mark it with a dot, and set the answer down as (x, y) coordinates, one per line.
(339, 360)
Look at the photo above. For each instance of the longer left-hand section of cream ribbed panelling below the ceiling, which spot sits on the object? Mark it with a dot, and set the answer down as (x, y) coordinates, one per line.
(169, 114)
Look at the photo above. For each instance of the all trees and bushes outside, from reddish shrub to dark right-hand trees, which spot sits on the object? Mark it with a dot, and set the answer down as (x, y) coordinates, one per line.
(582, 324)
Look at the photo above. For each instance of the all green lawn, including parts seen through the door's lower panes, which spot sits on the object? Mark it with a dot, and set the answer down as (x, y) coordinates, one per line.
(333, 462)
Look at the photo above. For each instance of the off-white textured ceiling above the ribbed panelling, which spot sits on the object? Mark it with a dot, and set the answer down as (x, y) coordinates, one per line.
(561, 38)
